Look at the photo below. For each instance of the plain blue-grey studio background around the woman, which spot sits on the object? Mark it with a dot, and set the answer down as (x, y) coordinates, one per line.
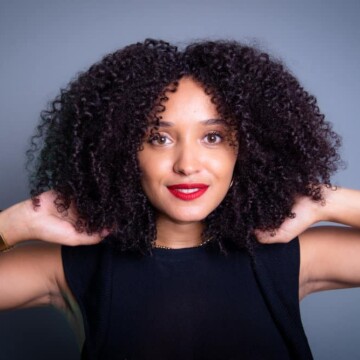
(45, 43)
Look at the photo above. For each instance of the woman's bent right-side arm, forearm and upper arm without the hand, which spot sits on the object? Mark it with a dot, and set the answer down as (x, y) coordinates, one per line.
(330, 255)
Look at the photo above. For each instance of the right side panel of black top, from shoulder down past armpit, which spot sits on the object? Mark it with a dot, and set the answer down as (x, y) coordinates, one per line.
(276, 268)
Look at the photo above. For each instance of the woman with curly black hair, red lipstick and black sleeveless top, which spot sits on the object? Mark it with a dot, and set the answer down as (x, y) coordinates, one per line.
(183, 160)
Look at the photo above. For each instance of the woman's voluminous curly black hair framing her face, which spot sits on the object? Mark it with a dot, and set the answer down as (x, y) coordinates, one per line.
(87, 142)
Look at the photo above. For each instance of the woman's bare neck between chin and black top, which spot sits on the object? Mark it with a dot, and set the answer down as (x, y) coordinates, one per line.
(178, 235)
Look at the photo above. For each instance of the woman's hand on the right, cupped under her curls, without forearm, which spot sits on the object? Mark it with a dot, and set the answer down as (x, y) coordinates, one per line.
(307, 212)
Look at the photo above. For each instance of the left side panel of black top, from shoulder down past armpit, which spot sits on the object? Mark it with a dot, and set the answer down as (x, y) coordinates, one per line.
(88, 272)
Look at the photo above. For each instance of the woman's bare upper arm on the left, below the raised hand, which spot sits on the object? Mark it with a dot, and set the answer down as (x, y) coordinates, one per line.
(32, 275)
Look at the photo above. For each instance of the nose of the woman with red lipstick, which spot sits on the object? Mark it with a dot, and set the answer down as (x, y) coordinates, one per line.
(187, 160)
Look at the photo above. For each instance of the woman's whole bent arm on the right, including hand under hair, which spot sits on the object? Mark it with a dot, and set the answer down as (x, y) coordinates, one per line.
(330, 255)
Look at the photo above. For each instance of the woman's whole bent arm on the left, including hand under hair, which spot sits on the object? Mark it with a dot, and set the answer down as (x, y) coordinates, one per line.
(31, 273)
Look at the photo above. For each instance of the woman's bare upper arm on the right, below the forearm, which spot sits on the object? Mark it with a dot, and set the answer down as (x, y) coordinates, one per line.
(329, 259)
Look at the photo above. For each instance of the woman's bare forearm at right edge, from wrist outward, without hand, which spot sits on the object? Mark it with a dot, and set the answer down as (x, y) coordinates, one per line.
(341, 206)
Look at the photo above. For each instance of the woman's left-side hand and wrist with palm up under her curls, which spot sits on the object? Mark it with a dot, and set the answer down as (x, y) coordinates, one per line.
(24, 221)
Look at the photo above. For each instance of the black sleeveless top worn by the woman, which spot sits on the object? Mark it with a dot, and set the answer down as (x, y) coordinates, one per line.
(193, 303)
